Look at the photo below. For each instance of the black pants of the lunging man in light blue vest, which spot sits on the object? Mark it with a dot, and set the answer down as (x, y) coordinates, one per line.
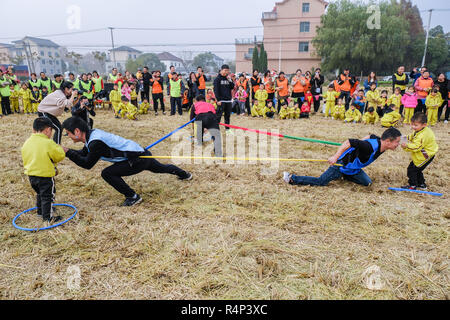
(113, 174)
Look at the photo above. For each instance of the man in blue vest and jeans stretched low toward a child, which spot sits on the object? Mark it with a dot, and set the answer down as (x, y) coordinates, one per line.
(353, 155)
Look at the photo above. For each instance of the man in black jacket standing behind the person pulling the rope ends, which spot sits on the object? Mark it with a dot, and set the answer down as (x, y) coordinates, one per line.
(223, 85)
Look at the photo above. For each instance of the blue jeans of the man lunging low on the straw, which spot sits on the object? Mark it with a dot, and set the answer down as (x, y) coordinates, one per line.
(333, 173)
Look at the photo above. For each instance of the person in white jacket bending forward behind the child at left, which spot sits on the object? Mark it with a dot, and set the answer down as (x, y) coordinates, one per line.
(53, 105)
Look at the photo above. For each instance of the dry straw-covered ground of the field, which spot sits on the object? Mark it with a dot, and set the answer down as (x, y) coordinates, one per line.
(232, 232)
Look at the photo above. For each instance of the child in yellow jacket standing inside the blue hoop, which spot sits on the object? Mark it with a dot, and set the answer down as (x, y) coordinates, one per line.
(40, 154)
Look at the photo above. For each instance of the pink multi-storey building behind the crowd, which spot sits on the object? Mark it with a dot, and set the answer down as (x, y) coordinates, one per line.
(288, 31)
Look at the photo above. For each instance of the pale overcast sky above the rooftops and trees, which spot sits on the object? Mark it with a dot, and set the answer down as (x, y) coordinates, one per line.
(47, 17)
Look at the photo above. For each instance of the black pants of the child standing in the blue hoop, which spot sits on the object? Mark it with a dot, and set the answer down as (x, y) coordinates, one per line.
(45, 195)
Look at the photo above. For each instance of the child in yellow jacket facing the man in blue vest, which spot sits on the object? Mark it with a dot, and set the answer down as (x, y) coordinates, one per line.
(423, 148)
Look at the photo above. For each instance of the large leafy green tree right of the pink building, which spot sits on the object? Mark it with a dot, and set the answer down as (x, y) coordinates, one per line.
(345, 40)
